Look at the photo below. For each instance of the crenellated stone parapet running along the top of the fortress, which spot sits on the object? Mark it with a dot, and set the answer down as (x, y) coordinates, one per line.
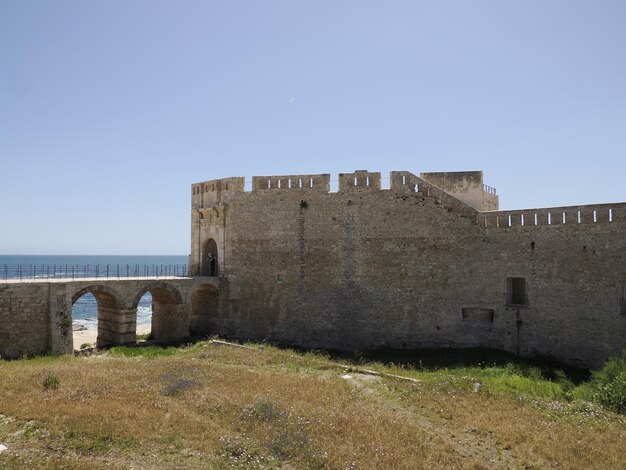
(461, 192)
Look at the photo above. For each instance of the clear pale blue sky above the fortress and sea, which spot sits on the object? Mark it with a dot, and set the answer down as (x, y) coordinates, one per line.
(109, 111)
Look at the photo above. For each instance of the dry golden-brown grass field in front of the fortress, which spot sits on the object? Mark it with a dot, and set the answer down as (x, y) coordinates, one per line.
(210, 405)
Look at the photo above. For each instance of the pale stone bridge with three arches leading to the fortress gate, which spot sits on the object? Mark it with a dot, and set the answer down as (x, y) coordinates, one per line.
(36, 316)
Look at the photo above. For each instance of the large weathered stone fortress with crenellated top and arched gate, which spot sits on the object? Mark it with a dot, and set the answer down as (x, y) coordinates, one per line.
(429, 263)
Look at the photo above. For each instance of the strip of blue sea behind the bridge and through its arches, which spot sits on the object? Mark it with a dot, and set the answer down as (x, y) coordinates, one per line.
(85, 309)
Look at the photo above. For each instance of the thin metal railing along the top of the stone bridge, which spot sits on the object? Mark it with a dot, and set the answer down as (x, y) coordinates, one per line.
(42, 272)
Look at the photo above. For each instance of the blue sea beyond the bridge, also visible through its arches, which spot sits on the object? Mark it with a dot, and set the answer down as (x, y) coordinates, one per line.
(85, 309)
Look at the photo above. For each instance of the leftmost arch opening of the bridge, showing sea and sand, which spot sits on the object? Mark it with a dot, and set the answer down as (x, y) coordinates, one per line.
(98, 317)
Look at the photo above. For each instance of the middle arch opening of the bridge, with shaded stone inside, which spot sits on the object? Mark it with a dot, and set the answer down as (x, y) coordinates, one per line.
(168, 319)
